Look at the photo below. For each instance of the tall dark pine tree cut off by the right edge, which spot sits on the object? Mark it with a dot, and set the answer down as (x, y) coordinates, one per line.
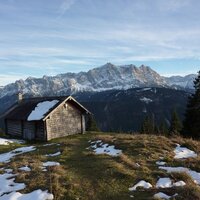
(191, 125)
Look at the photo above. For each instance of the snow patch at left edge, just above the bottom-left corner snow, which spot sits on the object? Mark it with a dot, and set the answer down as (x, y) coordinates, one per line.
(7, 184)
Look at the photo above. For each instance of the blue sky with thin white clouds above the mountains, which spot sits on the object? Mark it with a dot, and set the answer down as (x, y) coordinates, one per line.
(48, 37)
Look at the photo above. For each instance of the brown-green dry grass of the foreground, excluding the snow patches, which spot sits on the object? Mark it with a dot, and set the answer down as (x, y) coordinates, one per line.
(84, 175)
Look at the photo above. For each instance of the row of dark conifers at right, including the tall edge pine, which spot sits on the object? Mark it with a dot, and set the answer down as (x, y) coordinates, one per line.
(190, 127)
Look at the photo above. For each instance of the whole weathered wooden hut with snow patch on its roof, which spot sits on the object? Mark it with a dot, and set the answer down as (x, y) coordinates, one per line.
(46, 118)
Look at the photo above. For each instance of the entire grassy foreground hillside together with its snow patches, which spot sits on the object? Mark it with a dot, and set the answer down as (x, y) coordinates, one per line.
(77, 169)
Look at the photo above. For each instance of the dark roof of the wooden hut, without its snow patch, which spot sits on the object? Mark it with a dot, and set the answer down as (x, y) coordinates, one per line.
(23, 110)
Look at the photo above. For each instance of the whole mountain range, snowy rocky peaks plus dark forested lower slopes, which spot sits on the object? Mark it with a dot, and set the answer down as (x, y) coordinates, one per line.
(119, 96)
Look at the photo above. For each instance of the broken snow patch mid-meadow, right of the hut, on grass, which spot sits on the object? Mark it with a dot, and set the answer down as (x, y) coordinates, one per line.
(100, 148)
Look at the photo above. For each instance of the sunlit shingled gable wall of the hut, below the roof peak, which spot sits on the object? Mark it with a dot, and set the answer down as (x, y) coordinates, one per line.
(65, 120)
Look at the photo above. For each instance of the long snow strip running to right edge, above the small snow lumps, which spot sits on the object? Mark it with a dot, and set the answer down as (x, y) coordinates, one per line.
(195, 175)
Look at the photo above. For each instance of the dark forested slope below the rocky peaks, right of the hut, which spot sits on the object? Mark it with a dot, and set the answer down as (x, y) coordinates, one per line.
(125, 110)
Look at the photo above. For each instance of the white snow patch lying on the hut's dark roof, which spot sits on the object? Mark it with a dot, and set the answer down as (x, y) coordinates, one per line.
(41, 109)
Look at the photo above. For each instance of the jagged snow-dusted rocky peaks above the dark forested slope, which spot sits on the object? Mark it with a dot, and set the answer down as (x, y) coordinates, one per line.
(106, 77)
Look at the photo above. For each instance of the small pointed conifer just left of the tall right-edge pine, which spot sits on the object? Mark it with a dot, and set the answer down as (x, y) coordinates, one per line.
(175, 124)
